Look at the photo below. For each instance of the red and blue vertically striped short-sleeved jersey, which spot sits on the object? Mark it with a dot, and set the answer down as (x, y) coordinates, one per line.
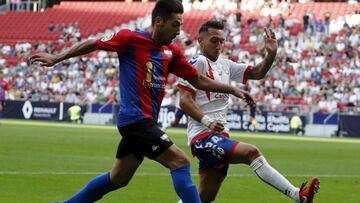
(144, 67)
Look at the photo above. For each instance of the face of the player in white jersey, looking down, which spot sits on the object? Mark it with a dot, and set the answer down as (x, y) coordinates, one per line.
(211, 43)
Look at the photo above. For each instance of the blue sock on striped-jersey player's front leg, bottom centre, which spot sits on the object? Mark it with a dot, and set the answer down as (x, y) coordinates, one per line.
(184, 186)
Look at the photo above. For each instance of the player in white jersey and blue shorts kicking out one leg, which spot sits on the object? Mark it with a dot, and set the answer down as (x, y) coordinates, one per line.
(208, 129)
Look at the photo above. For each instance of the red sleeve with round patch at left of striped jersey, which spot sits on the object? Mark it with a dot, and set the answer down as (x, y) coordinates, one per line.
(114, 41)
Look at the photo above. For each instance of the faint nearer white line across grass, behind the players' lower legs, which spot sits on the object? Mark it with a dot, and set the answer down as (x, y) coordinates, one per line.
(168, 174)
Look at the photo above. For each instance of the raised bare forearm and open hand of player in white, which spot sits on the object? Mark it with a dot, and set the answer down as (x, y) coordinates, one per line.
(259, 71)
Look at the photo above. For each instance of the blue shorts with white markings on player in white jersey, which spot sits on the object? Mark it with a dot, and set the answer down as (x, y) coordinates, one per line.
(214, 151)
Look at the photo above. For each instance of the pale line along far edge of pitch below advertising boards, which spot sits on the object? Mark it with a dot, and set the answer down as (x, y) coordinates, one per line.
(232, 134)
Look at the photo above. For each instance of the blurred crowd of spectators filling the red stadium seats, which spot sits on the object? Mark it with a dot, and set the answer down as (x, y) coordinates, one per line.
(315, 69)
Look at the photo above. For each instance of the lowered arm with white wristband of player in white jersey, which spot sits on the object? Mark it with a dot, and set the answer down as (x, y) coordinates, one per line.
(191, 108)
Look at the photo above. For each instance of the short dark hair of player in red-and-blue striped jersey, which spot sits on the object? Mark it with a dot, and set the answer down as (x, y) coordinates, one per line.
(164, 9)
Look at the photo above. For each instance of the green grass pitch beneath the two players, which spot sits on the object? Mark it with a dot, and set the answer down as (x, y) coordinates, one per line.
(45, 162)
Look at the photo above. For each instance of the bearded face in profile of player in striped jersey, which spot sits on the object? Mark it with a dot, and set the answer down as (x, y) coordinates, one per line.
(170, 28)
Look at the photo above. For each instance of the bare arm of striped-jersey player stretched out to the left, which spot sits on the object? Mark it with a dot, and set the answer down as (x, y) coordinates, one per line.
(78, 49)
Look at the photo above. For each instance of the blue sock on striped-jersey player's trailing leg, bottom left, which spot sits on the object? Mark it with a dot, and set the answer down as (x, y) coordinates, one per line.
(94, 190)
